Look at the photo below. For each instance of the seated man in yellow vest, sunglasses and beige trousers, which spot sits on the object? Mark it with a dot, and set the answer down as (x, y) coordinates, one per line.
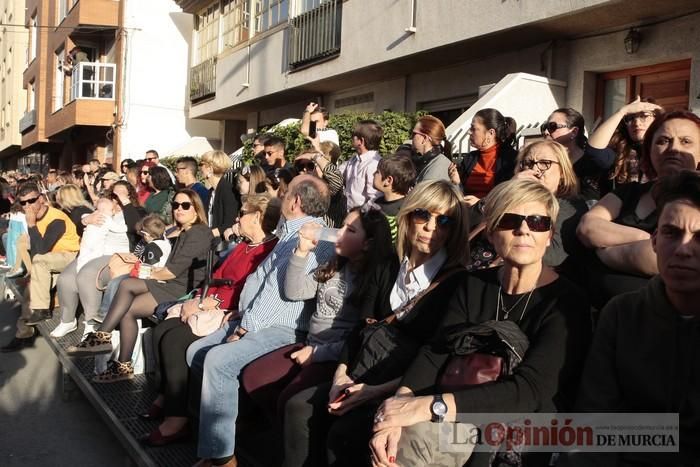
(54, 243)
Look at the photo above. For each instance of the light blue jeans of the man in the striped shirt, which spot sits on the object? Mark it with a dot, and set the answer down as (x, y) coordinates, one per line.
(220, 365)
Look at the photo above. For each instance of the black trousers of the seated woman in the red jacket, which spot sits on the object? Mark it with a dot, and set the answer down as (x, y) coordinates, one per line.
(170, 341)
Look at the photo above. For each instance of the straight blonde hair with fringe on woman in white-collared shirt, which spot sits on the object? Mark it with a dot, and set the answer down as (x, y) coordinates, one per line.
(436, 195)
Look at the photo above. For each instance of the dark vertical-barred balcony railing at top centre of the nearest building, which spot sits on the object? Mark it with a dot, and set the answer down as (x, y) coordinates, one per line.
(315, 35)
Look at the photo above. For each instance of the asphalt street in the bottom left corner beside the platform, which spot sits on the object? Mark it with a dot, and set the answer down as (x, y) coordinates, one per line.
(37, 427)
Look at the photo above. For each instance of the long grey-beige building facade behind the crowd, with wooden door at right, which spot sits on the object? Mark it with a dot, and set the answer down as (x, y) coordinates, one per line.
(256, 62)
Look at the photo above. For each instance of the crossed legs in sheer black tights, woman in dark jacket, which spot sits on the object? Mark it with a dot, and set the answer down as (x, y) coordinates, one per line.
(132, 301)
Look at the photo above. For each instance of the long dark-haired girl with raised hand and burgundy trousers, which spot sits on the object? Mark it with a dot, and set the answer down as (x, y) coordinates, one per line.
(342, 295)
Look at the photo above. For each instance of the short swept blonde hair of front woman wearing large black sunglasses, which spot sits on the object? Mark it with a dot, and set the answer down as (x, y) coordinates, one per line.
(508, 195)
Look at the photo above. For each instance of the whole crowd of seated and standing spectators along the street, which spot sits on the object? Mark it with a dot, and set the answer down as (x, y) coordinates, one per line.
(343, 293)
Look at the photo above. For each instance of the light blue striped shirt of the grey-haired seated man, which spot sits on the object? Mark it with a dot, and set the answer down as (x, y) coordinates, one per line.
(263, 303)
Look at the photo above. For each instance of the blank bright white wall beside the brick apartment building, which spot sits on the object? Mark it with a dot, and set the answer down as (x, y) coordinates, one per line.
(157, 69)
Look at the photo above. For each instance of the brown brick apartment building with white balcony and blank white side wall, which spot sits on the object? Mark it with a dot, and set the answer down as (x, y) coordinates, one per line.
(102, 81)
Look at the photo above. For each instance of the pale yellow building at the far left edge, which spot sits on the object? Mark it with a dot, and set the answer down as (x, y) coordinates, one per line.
(13, 58)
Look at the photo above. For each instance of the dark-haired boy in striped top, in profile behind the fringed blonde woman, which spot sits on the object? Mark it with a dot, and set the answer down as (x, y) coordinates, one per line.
(394, 178)
